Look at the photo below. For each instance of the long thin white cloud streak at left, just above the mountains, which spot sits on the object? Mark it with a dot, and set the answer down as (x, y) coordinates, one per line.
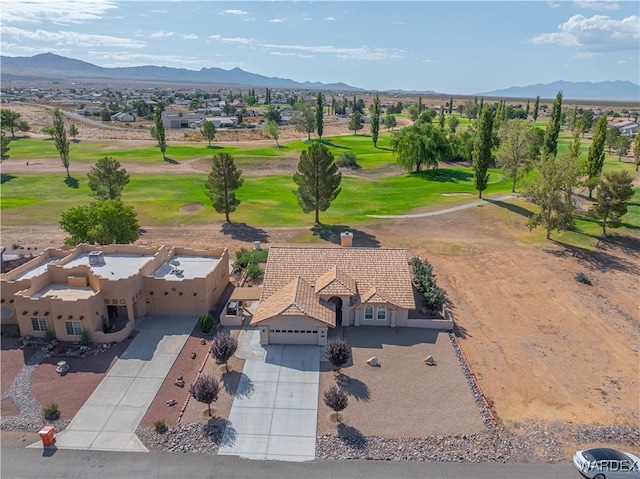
(70, 38)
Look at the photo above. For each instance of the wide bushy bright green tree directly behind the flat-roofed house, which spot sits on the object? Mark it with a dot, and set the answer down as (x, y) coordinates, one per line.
(100, 222)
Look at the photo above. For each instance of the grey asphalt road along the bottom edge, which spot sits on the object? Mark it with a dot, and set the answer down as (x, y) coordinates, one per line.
(18, 462)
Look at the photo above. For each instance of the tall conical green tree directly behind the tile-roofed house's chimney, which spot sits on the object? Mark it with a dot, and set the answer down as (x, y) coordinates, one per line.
(318, 180)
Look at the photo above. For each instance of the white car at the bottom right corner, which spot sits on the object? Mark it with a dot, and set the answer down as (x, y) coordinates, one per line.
(607, 463)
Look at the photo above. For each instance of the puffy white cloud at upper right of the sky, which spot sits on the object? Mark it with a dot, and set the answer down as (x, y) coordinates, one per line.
(596, 34)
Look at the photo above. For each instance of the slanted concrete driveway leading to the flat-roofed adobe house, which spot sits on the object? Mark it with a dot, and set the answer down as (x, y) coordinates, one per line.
(109, 418)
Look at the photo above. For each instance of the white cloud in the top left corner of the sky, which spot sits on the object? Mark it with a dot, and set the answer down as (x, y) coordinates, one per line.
(60, 12)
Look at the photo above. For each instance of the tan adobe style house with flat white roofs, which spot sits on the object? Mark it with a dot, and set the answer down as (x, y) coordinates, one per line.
(102, 290)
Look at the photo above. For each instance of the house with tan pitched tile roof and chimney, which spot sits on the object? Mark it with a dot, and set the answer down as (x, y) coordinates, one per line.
(308, 290)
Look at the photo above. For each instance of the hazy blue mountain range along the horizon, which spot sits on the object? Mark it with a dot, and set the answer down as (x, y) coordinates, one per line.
(47, 66)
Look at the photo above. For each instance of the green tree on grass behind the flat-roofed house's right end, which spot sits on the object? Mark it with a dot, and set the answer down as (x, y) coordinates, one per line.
(222, 182)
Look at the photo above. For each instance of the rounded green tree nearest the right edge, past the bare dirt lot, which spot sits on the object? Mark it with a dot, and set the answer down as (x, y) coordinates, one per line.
(613, 194)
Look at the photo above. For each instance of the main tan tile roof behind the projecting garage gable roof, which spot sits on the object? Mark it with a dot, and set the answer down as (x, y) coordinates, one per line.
(385, 269)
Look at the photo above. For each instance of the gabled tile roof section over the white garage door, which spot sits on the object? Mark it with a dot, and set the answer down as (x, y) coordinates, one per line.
(297, 298)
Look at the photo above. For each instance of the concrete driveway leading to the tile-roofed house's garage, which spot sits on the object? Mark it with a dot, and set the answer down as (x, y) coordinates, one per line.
(274, 413)
